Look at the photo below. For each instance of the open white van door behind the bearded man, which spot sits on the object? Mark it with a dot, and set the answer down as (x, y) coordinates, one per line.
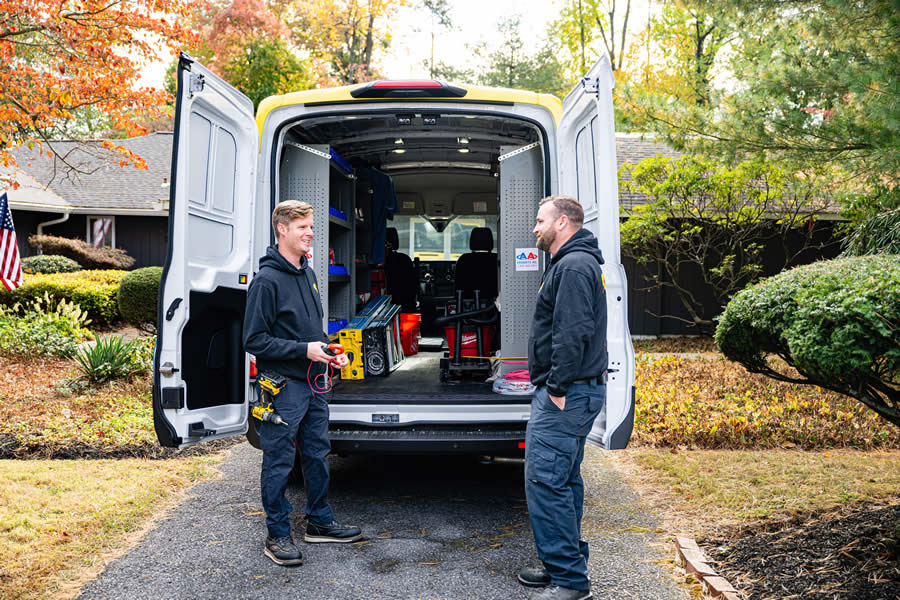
(587, 170)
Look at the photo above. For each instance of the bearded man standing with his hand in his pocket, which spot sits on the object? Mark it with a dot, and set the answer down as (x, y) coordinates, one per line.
(567, 363)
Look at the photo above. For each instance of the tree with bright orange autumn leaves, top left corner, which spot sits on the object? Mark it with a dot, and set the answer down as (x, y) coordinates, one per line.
(60, 58)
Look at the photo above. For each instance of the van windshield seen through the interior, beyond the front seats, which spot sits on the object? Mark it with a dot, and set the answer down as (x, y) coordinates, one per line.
(419, 239)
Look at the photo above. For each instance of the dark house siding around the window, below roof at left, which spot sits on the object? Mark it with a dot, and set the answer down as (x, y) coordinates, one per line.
(144, 238)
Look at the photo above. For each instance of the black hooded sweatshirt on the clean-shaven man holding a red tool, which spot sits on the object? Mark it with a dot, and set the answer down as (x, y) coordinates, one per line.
(284, 313)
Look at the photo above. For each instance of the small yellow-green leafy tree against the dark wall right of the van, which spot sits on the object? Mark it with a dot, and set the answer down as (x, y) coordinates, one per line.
(703, 217)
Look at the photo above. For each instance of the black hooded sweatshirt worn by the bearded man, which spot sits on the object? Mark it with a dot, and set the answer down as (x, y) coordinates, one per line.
(568, 335)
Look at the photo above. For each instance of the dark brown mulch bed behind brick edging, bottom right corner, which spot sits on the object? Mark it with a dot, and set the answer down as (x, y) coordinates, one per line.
(850, 554)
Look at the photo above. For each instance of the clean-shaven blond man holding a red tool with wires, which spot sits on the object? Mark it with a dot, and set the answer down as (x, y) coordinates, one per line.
(283, 329)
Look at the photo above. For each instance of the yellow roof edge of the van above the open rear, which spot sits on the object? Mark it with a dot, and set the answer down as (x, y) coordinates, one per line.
(342, 94)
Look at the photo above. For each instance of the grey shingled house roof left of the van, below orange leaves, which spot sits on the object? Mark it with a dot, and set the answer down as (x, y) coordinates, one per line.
(101, 184)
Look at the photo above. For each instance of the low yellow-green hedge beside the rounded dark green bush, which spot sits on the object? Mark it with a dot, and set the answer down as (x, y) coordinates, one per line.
(94, 291)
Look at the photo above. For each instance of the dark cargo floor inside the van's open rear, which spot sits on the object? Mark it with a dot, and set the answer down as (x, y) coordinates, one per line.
(417, 379)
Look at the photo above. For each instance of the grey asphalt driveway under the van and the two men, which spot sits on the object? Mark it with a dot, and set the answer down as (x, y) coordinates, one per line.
(438, 528)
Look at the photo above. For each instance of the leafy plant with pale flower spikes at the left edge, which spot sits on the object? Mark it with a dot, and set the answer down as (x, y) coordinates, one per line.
(43, 326)
